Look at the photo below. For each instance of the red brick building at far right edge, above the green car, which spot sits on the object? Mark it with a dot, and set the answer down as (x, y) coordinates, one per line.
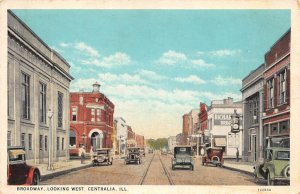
(276, 116)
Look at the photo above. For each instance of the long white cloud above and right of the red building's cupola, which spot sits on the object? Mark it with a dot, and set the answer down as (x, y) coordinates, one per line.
(115, 60)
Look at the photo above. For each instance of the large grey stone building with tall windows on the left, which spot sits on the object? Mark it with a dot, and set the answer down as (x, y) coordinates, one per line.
(38, 81)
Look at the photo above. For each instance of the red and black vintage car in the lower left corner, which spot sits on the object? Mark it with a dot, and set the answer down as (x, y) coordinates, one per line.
(19, 173)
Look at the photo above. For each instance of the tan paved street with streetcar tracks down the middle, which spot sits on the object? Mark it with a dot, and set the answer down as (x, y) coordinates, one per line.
(132, 174)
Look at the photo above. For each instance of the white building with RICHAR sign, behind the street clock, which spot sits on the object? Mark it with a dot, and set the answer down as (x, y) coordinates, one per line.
(219, 126)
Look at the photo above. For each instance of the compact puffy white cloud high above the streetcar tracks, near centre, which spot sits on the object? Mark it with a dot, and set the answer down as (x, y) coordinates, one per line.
(171, 58)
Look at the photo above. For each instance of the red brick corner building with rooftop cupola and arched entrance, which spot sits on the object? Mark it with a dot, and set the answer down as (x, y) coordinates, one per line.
(91, 120)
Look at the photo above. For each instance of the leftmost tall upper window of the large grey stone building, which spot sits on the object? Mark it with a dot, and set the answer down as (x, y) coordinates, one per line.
(25, 97)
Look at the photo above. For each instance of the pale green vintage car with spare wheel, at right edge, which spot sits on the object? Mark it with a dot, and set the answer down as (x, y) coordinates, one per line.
(276, 165)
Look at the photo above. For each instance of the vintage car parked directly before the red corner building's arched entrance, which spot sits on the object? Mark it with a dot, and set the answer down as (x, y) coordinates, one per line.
(102, 156)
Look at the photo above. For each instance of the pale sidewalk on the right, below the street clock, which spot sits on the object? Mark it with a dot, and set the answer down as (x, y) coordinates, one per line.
(244, 167)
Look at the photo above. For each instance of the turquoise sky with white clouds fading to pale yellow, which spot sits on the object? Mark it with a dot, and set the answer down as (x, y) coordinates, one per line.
(156, 65)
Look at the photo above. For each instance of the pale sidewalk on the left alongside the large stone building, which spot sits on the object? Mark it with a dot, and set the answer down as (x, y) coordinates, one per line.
(61, 167)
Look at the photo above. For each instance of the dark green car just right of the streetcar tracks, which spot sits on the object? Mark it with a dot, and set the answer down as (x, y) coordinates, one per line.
(182, 157)
